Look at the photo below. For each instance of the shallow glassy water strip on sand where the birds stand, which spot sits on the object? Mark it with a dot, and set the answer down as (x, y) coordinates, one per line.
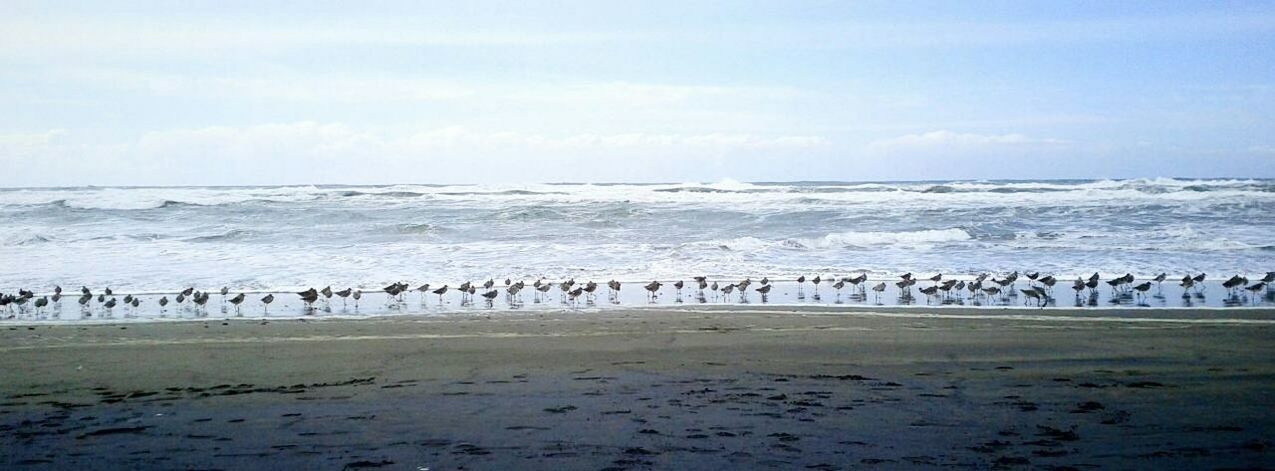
(783, 295)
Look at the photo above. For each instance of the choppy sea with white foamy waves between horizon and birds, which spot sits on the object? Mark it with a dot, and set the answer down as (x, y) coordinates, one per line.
(279, 238)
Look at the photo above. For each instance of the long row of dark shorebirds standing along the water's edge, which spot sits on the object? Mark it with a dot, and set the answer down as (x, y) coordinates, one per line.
(1040, 290)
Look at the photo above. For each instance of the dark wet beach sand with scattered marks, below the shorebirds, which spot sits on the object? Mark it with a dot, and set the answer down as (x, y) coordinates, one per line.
(645, 389)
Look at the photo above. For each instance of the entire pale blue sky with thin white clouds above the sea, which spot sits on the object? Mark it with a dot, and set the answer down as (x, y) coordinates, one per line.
(379, 93)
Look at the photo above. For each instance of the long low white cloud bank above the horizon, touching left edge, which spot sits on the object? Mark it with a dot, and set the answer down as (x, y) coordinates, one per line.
(330, 153)
